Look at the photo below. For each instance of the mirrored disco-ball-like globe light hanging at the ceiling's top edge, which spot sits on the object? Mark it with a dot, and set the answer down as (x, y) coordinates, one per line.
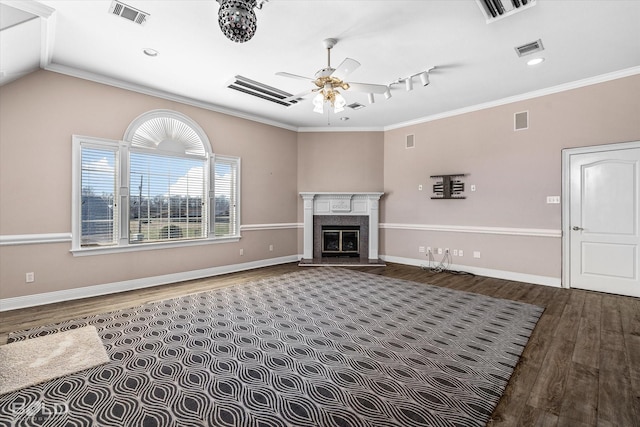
(237, 18)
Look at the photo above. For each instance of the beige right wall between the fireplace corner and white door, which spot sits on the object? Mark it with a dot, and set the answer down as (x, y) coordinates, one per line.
(513, 172)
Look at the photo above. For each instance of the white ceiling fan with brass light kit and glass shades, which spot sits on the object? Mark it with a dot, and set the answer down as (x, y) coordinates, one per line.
(328, 80)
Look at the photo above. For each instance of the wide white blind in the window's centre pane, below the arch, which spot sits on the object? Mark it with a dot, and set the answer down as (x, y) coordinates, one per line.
(167, 198)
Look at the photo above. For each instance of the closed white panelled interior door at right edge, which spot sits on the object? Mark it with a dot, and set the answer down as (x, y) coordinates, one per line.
(603, 223)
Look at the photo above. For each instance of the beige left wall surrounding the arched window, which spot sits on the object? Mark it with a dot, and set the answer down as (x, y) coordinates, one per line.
(38, 115)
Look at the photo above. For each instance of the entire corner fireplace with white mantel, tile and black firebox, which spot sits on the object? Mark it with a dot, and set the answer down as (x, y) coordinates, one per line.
(340, 228)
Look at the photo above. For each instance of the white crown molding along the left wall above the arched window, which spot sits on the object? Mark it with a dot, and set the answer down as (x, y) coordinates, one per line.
(98, 78)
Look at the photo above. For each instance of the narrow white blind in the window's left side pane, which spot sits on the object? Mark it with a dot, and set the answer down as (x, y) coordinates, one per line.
(98, 207)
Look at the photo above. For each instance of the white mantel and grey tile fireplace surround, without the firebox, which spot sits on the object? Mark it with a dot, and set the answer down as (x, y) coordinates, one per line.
(357, 208)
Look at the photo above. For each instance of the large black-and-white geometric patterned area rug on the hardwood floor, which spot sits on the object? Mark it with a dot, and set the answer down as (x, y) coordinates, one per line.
(318, 347)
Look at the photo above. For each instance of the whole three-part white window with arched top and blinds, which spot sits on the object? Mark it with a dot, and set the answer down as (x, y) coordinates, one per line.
(162, 184)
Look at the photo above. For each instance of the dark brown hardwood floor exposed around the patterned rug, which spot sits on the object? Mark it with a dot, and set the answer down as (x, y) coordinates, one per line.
(581, 366)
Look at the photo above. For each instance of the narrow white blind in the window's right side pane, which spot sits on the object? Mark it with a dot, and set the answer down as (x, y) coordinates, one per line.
(226, 192)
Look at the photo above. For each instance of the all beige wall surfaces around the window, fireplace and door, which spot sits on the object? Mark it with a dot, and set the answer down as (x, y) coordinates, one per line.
(513, 172)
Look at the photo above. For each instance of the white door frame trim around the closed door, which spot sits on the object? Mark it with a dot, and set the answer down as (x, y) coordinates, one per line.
(566, 197)
